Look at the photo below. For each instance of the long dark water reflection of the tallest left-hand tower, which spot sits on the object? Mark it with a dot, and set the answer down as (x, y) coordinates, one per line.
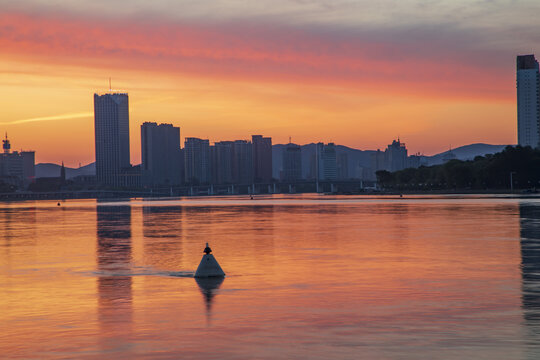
(114, 262)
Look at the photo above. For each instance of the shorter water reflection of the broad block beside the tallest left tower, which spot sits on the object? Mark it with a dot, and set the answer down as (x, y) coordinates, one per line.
(162, 231)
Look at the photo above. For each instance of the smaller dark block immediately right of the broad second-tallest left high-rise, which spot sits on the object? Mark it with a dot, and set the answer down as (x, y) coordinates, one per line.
(197, 161)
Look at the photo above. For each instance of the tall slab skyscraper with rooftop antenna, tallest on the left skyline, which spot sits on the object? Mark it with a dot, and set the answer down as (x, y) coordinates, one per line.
(111, 125)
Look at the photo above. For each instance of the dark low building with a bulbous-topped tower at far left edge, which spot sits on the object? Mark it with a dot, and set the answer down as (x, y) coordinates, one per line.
(16, 168)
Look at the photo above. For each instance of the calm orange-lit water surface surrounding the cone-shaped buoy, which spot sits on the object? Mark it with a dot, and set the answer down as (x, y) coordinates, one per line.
(308, 276)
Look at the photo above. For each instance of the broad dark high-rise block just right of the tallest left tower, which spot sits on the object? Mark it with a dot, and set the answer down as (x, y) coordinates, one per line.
(160, 154)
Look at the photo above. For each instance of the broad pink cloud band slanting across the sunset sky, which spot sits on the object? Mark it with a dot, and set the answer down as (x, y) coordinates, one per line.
(440, 61)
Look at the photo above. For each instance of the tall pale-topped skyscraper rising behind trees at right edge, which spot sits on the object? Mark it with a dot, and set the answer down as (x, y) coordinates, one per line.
(528, 100)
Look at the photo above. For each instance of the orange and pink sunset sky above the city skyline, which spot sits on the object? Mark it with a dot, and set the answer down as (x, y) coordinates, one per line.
(436, 74)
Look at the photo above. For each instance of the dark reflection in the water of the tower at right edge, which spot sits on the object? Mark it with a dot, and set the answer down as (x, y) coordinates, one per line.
(530, 264)
